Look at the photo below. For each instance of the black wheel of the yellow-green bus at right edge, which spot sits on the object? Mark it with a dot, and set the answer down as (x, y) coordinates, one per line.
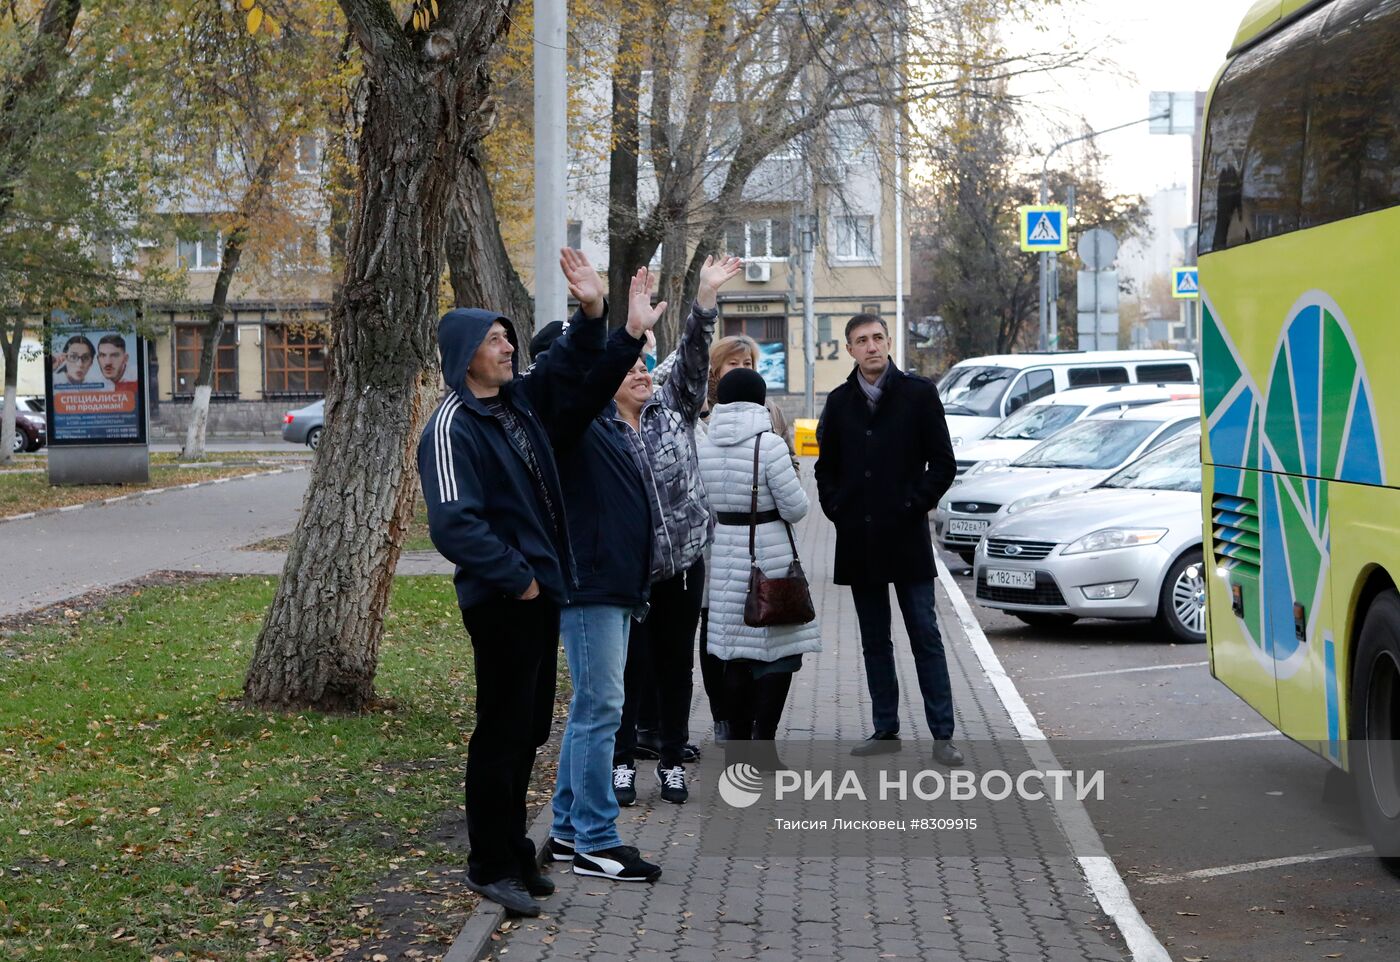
(1375, 727)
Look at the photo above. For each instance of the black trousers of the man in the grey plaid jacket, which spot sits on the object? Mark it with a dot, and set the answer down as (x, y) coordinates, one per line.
(660, 660)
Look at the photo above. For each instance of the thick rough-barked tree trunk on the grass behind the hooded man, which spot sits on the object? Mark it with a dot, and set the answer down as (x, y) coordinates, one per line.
(320, 645)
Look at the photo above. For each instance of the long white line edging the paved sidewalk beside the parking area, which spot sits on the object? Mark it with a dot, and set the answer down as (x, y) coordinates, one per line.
(1100, 872)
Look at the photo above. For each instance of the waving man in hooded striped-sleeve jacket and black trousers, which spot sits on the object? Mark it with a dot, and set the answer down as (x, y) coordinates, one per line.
(496, 510)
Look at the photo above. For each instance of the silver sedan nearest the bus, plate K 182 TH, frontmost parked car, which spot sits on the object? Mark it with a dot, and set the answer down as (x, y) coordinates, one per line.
(1128, 548)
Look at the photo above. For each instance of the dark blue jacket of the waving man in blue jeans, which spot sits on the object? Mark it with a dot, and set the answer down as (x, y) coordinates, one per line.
(605, 496)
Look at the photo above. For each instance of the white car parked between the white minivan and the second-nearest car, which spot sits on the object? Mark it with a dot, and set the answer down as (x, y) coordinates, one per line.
(1038, 421)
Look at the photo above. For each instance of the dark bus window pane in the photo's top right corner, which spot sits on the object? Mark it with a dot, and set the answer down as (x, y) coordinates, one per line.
(1353, 153)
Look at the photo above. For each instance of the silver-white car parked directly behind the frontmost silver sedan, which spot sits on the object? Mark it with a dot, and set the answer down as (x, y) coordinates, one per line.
(1073, 459)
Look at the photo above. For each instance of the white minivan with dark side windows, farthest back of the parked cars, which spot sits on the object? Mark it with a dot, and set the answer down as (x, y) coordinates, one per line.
(981, 391)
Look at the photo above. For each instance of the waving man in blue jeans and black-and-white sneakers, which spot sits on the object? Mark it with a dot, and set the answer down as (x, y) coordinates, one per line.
(605, 481)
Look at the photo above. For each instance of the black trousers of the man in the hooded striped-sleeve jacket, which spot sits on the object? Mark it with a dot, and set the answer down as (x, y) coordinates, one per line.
(516, 652)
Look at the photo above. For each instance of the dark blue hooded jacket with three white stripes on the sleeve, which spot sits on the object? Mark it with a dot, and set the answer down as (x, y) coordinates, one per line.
(484, 515)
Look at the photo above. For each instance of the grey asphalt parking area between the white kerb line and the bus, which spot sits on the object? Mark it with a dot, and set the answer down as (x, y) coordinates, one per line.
(1191, 806)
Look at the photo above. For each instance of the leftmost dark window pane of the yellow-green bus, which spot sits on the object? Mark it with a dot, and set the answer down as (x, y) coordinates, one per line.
(1252, 177)
